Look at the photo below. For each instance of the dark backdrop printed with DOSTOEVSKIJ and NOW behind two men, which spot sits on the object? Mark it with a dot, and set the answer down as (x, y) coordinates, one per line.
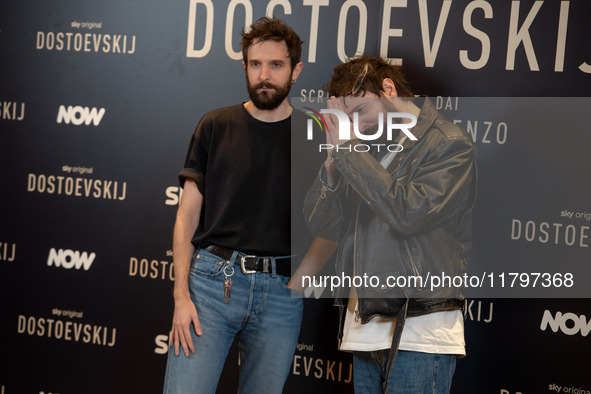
(98, 101)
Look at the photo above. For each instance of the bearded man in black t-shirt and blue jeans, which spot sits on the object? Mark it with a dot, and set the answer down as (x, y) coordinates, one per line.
(232, 232)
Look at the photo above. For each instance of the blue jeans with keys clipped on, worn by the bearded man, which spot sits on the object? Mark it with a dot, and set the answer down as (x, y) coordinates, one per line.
(260, 310)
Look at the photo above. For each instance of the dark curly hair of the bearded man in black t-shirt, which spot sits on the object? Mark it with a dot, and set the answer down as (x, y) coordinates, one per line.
(272, 29)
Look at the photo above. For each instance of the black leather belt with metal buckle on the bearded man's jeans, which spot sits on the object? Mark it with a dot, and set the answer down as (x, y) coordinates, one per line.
(251, 264)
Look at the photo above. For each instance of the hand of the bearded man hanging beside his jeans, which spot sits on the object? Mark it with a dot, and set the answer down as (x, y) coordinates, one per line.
(185, 313)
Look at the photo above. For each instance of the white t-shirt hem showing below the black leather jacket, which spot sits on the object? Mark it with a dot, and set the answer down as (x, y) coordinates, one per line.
(437, 333)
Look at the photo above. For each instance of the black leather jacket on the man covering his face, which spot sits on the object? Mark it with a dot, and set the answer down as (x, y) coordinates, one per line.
(412, 218)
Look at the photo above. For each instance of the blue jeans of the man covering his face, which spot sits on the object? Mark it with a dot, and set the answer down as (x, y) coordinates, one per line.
(413, 372)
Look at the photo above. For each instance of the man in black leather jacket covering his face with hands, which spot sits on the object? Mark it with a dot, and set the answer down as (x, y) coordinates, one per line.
(400, 212)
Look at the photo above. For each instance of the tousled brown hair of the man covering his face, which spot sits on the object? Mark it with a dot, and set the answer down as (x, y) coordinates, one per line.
(365, 73)
